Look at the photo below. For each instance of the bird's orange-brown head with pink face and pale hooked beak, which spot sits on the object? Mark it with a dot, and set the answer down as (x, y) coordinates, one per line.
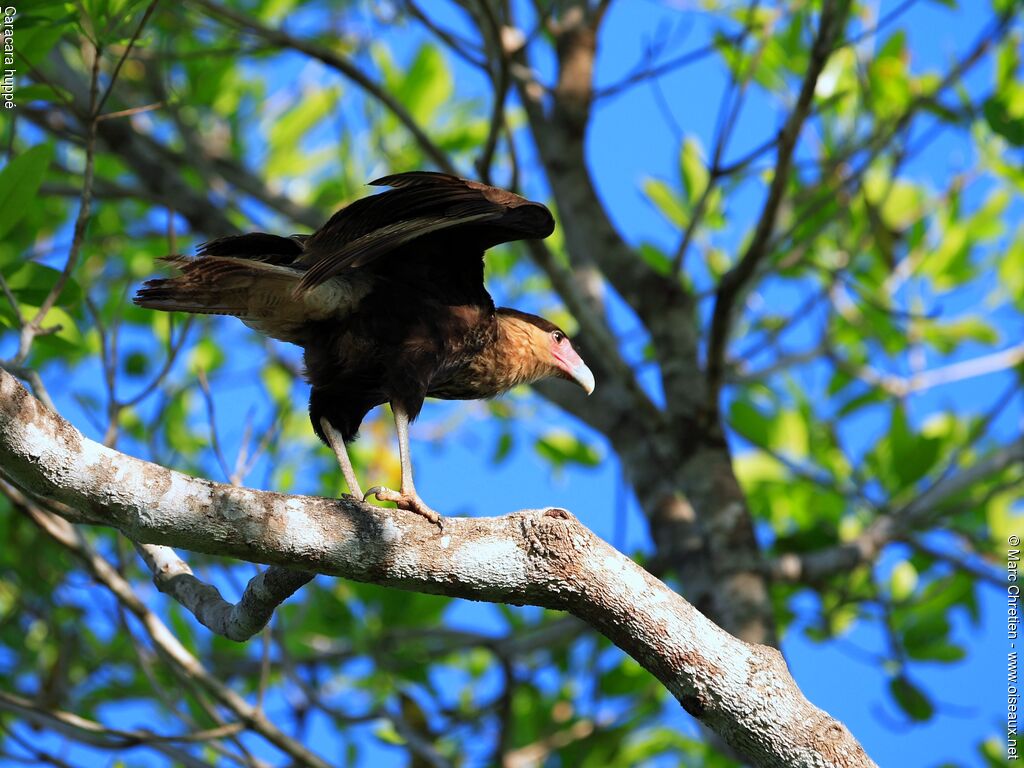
(545, 350)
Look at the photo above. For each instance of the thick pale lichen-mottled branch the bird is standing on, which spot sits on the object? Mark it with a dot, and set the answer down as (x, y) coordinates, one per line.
(547, 559)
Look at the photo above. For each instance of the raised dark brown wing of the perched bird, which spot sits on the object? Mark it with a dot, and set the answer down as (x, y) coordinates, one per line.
(420, 203)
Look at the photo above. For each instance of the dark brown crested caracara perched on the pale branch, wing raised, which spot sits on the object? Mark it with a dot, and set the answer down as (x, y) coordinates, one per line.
(389, 303)
